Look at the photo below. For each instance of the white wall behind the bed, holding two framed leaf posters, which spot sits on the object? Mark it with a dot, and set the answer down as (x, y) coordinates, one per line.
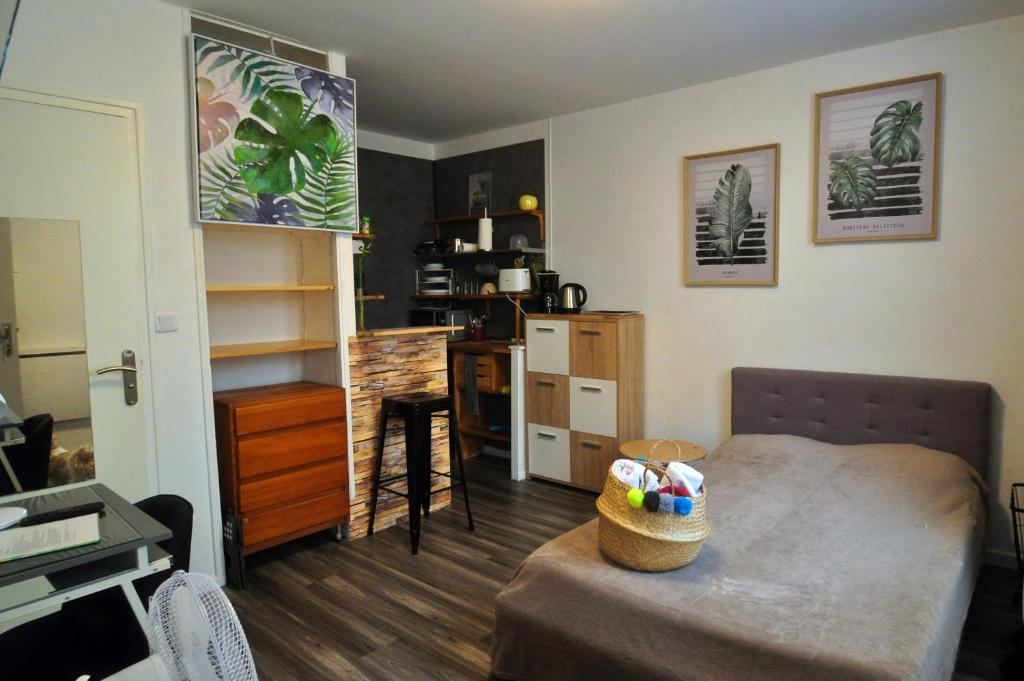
(949, 309)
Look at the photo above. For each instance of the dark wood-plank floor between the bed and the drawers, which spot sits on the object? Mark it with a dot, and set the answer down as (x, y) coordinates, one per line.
(368, 610)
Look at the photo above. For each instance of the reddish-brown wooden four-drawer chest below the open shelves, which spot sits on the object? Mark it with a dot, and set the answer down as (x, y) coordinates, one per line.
(283, 457)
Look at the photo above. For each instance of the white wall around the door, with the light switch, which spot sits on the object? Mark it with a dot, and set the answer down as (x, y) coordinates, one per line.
(136, 51)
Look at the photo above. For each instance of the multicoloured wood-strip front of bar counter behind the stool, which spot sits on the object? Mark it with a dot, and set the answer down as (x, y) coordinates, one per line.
(387, 367)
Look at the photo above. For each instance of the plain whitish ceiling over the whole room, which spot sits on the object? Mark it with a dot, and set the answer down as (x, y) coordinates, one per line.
(440, 70)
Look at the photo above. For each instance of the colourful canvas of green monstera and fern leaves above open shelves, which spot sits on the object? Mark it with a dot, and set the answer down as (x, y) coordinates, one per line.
(275, 141)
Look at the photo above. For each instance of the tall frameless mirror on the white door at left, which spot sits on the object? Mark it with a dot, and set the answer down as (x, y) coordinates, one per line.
(45, 378)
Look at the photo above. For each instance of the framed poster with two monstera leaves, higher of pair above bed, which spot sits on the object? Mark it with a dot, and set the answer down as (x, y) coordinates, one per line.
(877, 152)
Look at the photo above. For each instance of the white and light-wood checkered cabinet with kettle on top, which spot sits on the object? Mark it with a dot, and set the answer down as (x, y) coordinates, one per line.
(584, 394)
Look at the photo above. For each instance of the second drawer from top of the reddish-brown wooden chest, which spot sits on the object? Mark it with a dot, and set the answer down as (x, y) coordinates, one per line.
(279, 450)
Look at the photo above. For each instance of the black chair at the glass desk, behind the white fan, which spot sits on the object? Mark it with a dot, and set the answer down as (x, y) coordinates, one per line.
(99, 634)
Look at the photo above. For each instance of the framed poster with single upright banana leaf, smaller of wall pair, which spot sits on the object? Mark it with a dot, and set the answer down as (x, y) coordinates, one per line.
(731, 218)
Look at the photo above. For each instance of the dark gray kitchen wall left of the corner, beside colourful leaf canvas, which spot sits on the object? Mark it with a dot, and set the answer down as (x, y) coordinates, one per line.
(397, 192)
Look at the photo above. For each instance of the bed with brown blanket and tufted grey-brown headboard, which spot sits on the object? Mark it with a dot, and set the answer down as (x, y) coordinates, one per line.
(848, 514)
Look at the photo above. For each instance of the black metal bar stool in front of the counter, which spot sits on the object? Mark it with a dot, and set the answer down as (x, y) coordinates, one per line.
(419, 410)
